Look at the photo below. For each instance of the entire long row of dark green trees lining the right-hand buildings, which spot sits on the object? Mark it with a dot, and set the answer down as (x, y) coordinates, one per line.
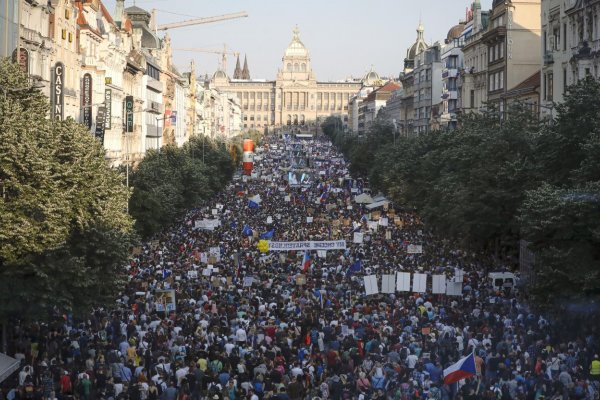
(501, 178)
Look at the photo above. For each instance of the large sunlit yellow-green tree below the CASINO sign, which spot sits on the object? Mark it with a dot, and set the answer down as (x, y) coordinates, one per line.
(64, 229)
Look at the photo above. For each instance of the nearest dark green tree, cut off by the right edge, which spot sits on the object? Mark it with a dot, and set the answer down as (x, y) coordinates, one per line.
(561, 218)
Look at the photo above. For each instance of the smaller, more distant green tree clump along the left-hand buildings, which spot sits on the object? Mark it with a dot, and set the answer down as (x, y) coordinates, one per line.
(169, 182)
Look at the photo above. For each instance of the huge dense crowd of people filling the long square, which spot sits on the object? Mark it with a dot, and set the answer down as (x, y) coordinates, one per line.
(301, 329)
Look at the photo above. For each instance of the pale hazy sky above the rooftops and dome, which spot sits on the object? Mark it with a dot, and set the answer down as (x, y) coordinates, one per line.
(344, 37)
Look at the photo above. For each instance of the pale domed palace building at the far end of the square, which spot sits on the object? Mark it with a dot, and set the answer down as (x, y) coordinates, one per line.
(295, 97)
